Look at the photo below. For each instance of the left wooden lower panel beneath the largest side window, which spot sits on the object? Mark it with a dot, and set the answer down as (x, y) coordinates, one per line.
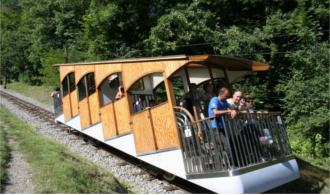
(142, 130)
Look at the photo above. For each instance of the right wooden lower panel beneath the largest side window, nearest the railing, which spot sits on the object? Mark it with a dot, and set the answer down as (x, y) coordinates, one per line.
(164, 126)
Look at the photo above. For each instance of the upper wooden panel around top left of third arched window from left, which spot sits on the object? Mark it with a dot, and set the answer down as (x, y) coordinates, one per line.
(104, 70)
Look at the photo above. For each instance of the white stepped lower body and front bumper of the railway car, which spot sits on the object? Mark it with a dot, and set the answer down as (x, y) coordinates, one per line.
(172, 161)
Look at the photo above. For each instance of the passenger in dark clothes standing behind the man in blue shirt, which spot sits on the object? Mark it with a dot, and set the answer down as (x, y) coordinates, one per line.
(198, 95)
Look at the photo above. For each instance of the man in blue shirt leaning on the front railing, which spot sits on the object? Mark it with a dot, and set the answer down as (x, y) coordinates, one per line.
(219, 106)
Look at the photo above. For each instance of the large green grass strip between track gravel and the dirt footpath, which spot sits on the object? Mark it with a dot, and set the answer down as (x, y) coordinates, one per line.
(55, 168)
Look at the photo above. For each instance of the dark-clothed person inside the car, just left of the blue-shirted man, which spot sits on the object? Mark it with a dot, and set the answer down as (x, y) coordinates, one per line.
(198, 95)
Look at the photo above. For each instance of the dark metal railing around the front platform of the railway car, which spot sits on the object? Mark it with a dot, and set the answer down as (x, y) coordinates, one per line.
(245, 141)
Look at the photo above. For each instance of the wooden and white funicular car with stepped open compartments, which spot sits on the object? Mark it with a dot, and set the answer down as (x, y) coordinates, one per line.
(172, 138)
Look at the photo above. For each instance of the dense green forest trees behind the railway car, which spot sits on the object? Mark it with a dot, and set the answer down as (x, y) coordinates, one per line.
(292, 36)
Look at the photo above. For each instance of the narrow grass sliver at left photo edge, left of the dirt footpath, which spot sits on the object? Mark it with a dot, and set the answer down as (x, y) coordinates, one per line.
(4, 156)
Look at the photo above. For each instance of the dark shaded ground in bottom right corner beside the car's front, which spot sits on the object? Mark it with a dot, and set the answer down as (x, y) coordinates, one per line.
(313, 180)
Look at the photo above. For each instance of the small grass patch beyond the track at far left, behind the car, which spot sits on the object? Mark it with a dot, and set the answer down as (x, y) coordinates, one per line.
(39, 93)
